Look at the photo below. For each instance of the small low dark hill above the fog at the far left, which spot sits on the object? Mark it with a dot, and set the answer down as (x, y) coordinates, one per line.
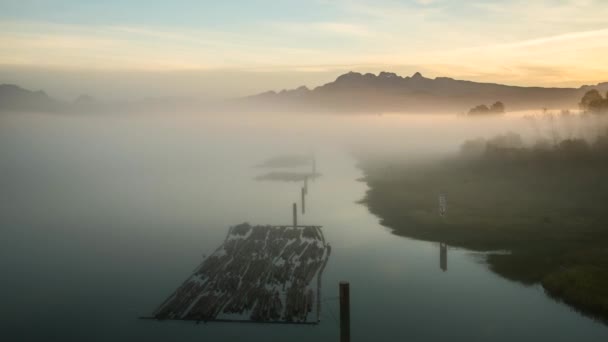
(15, 98)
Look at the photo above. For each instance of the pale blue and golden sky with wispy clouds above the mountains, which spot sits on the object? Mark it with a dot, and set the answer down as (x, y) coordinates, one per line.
(122, 49)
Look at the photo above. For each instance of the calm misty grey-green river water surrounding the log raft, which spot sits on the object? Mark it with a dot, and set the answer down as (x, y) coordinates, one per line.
(102, 218)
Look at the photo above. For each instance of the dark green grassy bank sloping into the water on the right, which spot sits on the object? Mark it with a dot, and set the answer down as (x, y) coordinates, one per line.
(547, 207)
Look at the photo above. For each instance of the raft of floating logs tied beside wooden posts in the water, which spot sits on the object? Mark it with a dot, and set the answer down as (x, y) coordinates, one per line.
(263, 274)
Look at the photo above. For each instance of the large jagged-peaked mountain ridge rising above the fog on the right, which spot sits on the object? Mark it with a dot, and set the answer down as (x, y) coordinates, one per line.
(356, 92)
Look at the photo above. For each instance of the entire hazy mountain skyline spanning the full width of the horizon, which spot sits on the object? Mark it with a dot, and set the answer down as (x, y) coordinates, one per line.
(350, 92)
